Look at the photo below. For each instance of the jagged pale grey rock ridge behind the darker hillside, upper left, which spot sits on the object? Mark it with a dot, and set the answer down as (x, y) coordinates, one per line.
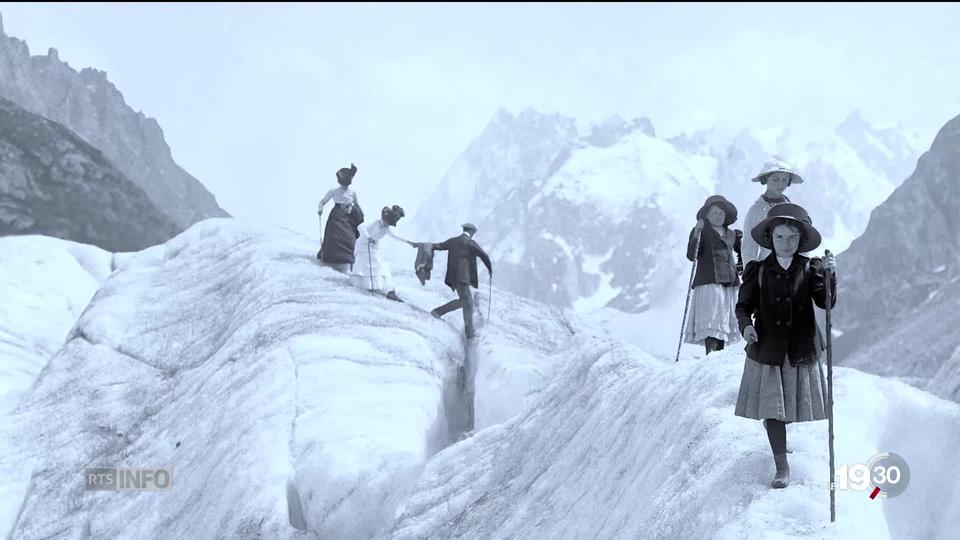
(92, 107)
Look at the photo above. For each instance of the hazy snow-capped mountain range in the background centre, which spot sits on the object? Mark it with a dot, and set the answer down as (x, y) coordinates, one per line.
(601, 219)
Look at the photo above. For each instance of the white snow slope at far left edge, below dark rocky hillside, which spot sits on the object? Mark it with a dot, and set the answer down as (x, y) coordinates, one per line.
(45, 283)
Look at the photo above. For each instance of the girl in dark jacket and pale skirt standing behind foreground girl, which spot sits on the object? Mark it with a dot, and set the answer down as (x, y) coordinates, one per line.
(711, 321)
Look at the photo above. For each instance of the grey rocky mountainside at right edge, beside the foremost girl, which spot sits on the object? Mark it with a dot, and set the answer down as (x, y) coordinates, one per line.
(900, 288)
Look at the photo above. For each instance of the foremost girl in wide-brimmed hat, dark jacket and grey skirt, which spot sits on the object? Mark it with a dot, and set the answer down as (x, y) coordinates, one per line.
(781, 381)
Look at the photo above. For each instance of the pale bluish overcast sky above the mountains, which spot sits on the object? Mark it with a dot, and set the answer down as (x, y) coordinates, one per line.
(263, 103)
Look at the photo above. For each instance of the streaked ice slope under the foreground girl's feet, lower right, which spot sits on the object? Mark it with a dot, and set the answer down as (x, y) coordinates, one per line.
(624, 446)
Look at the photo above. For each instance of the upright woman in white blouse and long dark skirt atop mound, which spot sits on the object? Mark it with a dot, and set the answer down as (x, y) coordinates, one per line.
(340, 235)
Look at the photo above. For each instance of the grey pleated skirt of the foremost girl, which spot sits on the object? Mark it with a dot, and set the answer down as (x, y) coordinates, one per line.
(786, 393)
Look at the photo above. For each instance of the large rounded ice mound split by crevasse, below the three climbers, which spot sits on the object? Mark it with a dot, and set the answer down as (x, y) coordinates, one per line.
(230, 355)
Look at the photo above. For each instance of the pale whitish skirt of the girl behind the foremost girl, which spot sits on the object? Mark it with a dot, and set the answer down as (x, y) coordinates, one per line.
(711, 314)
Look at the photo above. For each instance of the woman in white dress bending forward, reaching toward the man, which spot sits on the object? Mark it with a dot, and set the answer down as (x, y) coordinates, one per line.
(370, 271)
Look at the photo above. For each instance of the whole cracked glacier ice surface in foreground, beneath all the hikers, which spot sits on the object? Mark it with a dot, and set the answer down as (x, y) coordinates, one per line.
(289, 404)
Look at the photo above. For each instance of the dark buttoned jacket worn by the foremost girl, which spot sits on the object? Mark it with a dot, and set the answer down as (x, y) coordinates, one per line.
(782, 313)
